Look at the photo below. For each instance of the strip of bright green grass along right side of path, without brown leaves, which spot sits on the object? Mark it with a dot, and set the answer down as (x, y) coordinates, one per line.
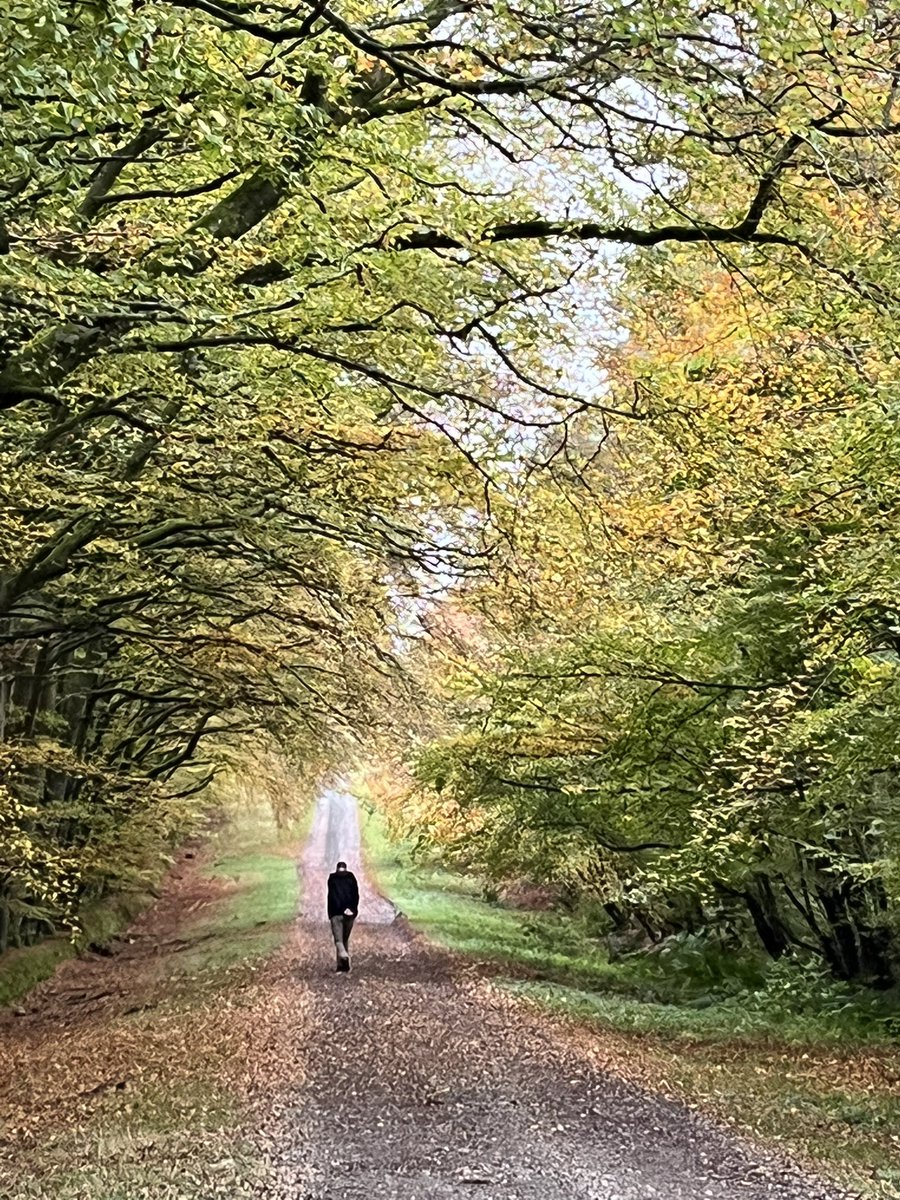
(688, 993)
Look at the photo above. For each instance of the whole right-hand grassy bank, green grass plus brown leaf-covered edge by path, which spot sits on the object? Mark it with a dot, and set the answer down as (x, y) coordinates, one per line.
(777, 1051)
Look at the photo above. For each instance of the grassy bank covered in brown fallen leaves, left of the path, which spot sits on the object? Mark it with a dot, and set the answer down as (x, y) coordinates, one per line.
(145, 1094)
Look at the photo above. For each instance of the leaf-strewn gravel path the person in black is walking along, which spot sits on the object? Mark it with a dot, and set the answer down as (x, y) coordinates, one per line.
(418, 1081)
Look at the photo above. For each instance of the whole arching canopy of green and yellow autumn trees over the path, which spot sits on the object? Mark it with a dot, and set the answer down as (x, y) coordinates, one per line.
(503, 392)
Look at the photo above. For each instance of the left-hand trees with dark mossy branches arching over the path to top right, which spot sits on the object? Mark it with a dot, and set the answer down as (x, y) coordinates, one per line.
(286, 314)
